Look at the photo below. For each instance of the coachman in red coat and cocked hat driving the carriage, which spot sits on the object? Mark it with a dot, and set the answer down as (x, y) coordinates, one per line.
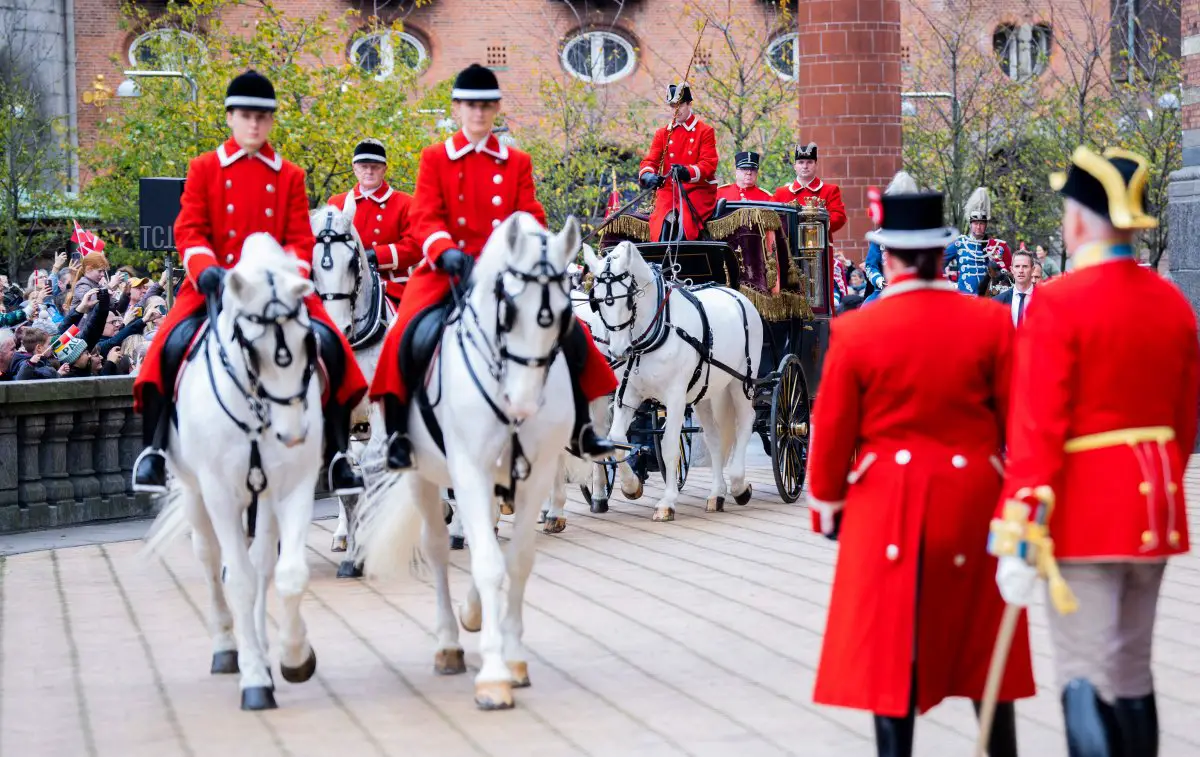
(682, 164)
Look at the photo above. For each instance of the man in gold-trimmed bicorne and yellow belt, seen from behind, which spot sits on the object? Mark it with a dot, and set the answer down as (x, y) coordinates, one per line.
(1099, 443)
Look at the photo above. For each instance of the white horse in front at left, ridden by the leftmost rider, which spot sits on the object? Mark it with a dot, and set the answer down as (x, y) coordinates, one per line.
(251, 420)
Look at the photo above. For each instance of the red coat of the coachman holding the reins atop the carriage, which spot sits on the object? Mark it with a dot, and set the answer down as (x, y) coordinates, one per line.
(693, 145)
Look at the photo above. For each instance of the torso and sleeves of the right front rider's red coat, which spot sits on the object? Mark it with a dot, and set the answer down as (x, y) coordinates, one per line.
(465, 191)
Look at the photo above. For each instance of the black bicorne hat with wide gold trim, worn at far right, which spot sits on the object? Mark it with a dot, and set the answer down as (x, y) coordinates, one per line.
(1114, 185)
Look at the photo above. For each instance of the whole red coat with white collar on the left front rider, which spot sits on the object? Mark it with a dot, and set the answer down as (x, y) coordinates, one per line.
(229, 196)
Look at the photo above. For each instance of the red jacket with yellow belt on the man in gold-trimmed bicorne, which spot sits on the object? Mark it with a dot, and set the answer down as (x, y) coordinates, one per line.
(1107, 350)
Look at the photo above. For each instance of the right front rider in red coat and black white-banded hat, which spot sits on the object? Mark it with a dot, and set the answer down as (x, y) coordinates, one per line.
(466, 188)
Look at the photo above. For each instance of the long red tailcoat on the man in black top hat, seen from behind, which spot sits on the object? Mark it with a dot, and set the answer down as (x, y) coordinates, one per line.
(923, 411)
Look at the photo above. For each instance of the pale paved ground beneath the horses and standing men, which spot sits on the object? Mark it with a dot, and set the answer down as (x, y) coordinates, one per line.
(695, 638)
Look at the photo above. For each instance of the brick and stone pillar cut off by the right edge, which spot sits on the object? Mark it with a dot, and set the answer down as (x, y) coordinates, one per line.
(1184, 206)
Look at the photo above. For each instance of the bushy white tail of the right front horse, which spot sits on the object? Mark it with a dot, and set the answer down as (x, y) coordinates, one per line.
(388, 526)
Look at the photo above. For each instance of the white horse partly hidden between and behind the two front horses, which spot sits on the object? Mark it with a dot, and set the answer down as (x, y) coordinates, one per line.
(353, 293)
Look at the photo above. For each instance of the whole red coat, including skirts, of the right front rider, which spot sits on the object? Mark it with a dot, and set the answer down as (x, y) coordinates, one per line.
(464, 193)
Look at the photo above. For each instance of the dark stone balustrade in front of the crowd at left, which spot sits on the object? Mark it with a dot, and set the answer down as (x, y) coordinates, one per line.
(67, 453)
